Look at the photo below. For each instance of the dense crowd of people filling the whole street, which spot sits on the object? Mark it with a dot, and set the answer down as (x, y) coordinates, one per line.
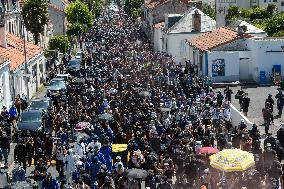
(165, 113)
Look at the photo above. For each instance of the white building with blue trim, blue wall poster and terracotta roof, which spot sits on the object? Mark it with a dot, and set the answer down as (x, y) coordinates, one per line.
(237, 56)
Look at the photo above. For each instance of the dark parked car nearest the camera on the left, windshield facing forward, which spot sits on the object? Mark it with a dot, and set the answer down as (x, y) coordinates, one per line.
(31, 120)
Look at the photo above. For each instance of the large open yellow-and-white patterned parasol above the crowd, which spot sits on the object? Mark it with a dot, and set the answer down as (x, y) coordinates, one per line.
(232, 160)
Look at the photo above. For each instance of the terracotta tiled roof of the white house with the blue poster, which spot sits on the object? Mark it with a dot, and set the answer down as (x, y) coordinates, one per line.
(215, 38)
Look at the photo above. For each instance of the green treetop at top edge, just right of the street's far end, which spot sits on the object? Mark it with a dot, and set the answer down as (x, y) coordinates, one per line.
(133, 7)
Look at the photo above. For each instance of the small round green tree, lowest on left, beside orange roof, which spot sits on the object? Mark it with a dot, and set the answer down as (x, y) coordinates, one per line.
(60, 42)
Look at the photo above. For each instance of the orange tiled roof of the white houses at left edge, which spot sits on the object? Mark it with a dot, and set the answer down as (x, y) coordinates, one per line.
(15, 50)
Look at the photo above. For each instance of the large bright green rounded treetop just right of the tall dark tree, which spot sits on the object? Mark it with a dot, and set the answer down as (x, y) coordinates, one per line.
(78, 12)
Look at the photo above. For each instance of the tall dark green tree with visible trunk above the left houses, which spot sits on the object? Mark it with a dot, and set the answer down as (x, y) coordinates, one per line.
(35, 17)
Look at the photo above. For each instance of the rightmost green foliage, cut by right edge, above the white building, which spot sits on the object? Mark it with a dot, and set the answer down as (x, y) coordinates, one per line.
(275, 25)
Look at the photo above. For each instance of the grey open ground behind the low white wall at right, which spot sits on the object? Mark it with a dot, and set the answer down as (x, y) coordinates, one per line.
(257, 96)
